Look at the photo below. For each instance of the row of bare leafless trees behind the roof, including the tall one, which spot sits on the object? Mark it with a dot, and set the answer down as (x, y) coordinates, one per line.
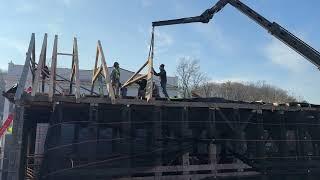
(191, 79)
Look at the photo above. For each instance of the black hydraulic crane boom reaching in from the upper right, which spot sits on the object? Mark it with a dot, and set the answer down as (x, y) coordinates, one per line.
(274, 28)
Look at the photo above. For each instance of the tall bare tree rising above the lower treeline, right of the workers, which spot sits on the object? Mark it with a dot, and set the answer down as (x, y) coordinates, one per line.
(190, 76)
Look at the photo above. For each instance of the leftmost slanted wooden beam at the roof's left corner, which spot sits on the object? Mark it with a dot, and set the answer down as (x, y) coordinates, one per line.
(24, 74)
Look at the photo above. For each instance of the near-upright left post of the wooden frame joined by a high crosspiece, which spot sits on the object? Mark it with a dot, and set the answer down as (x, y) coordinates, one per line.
(52, 85)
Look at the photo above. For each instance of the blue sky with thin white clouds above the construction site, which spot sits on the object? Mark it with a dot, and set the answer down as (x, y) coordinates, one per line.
(231, 47)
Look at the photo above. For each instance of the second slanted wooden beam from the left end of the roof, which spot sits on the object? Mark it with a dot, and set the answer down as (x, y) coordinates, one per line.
(41, 64)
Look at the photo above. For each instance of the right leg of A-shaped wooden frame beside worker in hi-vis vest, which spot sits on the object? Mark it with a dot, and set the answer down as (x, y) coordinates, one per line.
(106, 73)
